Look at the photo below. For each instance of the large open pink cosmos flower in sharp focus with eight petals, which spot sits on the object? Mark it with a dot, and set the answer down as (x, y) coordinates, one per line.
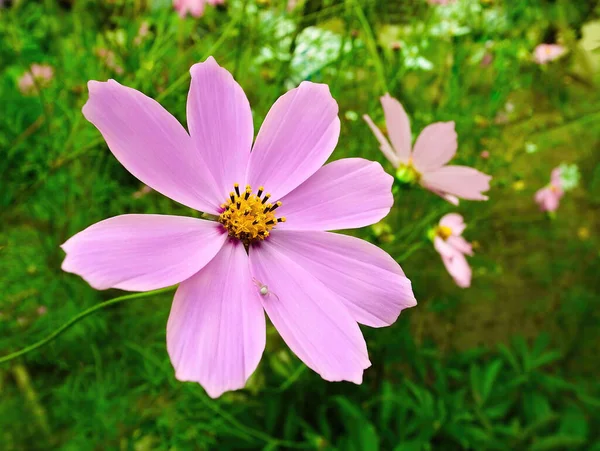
(268, 249)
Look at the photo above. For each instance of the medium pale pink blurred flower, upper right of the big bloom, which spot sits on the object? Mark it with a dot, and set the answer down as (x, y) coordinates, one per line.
(425, 163)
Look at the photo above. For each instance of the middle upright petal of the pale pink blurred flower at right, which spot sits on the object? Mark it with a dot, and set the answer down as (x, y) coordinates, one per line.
(435, 146)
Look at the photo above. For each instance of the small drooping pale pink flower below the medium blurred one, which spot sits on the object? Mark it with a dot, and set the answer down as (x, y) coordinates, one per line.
(452, 247)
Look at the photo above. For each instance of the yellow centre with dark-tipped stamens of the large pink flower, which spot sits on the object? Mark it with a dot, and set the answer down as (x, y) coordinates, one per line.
(247, 216)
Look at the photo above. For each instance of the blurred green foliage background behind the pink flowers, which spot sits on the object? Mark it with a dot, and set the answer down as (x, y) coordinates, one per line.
(510, 363)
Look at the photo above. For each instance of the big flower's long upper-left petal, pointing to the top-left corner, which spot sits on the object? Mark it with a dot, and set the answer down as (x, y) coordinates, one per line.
(151, 144)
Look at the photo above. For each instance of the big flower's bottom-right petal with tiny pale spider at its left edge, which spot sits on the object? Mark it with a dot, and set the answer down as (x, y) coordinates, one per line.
(312, 320)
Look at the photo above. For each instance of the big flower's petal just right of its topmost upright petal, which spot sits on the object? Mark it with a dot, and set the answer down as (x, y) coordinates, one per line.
(296, 138)
